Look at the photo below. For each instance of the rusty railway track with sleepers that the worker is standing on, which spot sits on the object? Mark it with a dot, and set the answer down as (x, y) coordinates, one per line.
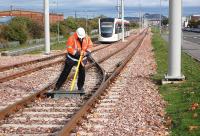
(59, 112)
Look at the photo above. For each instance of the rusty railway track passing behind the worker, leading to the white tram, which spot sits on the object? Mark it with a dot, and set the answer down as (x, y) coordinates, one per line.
(17, 70)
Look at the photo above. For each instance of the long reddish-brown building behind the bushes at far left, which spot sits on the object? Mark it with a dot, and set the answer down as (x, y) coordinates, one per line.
(36, 16)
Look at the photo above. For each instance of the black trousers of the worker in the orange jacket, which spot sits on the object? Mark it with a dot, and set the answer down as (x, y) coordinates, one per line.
(66, 70)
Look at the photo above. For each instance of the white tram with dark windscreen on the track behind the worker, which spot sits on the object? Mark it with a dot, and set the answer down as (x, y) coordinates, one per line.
(110, 29)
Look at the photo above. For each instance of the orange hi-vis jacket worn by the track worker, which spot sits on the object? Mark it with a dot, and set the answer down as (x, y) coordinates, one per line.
(73, 44)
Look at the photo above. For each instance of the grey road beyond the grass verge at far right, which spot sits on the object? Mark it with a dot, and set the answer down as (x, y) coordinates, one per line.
(191, 44)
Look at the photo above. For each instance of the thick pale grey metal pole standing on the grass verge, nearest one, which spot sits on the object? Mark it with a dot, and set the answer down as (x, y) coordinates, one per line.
(174, 56)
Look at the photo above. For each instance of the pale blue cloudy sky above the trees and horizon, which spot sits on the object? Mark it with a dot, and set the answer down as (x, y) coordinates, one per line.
(94, 7)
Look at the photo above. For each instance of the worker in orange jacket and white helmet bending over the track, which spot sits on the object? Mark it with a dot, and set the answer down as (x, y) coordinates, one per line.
(78, 44)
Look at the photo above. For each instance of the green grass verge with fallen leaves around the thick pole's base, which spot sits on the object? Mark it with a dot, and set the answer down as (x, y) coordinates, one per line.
(182, 99)
